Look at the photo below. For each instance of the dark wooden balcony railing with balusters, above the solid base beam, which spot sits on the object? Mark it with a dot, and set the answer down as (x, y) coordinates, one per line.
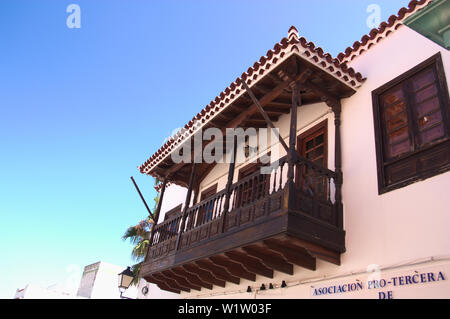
(253, 199)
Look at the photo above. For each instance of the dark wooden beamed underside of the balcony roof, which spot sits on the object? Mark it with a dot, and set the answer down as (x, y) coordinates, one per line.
(273, 92)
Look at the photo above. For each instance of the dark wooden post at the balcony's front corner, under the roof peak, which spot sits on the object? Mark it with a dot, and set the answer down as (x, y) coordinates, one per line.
(292, 154)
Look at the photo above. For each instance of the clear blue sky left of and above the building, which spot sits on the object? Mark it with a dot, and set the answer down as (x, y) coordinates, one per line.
(80, 109)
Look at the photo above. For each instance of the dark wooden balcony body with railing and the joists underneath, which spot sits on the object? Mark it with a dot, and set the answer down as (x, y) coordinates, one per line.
(271, 224)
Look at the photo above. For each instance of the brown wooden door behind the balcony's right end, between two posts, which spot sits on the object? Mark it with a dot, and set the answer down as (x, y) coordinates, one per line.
(313, 145)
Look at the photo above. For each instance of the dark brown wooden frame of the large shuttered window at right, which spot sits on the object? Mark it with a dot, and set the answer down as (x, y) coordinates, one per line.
(444, 142)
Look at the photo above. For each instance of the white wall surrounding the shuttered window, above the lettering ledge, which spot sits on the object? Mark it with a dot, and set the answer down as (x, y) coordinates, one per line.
(408, 223)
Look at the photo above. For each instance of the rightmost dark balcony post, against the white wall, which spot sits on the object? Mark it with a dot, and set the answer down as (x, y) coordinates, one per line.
(338, 163)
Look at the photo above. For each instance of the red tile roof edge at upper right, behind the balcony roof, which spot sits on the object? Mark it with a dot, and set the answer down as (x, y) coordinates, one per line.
(385, 29)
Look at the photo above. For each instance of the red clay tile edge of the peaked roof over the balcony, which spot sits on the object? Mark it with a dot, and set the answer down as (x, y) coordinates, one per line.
(280, 52)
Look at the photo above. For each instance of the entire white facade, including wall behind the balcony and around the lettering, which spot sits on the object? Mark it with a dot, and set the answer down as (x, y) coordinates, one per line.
(399, 238)
